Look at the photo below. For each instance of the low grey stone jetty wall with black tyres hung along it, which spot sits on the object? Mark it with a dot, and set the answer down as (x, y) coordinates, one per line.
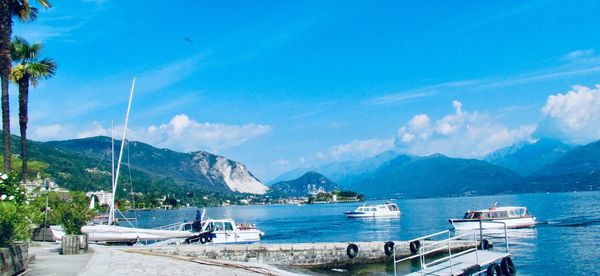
(321, 255)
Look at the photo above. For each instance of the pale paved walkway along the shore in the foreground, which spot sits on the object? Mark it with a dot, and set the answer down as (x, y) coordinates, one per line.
(104, 261)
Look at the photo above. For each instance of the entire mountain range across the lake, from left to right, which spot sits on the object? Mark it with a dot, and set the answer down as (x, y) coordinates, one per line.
(541, 166)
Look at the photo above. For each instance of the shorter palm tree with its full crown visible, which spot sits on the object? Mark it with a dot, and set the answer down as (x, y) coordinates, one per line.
(28, 69)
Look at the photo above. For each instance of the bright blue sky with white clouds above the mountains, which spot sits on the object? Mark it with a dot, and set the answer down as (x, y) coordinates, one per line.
(282, 84)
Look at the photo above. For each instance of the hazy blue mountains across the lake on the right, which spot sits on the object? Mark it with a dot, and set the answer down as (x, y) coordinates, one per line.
(541, 166)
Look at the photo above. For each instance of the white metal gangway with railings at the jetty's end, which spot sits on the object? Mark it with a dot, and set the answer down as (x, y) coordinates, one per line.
(433, 246)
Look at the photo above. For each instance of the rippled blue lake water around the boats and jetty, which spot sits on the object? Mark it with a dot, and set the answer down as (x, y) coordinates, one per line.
(566, 242)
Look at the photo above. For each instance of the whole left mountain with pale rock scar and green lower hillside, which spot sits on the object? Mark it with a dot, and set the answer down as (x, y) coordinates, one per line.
(84, 164)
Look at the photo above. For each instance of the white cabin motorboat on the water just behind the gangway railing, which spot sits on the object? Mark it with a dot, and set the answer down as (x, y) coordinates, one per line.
(512, 216)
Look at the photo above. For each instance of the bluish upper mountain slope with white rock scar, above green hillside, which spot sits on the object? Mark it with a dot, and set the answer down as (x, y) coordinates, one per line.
(200, 169)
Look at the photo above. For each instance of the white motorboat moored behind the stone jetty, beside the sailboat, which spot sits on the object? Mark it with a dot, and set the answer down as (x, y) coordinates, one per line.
(226, 231)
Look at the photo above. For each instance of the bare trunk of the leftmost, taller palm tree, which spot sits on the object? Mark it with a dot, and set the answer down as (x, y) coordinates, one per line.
(5, 33)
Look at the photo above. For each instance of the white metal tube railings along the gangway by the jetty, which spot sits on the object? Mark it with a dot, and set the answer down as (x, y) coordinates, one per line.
(439, 245)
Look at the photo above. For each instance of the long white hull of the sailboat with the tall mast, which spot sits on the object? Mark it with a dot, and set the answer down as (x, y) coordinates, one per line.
(110, 233)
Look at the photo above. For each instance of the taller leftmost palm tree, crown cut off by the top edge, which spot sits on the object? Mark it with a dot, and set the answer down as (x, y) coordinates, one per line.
(21, 10)
